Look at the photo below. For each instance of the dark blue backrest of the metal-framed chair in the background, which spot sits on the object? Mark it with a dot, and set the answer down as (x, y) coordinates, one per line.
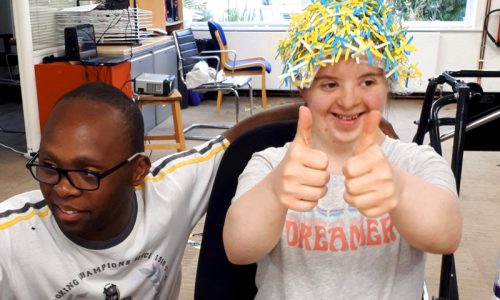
(186, 48)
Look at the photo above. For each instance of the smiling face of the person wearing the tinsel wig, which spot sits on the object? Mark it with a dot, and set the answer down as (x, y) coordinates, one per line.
(339, 97)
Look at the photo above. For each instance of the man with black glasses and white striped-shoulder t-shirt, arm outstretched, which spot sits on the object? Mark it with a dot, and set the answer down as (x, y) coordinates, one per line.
(105, 222)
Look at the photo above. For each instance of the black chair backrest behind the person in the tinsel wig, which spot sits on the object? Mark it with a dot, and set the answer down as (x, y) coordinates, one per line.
(216, 277)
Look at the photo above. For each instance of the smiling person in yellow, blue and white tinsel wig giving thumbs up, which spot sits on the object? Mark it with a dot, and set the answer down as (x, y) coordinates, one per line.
(343, 211)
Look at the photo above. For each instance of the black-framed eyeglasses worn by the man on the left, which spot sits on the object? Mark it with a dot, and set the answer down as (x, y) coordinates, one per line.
(84, 180)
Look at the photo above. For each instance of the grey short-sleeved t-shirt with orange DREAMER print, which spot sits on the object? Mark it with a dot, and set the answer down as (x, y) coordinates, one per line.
(334, 252)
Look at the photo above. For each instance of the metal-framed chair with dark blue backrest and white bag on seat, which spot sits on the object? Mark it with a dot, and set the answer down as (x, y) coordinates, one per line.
(188, 56)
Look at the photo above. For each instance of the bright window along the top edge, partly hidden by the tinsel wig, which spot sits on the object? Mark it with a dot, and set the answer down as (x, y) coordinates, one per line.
(418, 13)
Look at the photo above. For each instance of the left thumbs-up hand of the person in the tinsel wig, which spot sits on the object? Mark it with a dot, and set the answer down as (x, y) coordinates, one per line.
(302, 175)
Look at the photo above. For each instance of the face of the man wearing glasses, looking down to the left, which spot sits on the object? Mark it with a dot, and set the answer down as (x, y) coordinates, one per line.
(89, 135)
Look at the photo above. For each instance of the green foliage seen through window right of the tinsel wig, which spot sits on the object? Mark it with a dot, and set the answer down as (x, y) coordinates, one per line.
(432, 10)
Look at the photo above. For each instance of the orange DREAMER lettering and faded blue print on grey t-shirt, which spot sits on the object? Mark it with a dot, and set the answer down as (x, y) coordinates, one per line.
(334, 226)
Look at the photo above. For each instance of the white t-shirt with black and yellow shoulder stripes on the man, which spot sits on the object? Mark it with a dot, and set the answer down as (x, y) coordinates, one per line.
(37, 261)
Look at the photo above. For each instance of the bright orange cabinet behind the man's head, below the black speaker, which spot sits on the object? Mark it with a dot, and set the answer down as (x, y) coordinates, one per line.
(53, 80)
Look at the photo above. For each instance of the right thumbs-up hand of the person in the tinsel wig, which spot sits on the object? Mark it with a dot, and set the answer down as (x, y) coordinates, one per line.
(369, 178)
